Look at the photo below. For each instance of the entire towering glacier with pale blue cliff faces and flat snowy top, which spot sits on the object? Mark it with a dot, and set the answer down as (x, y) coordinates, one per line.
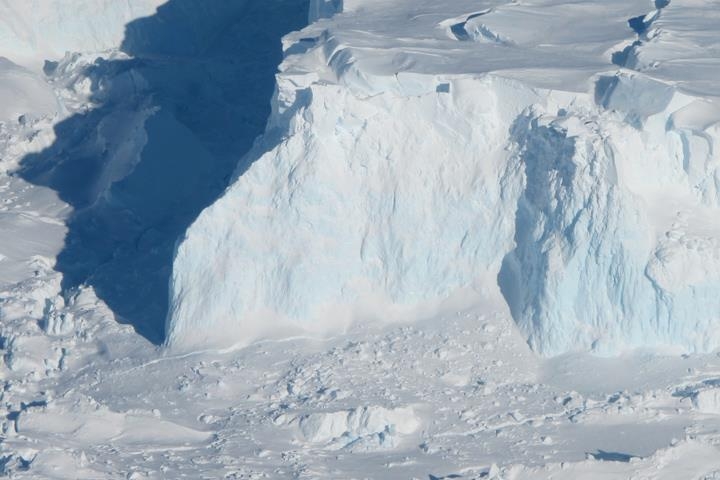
(391, 185)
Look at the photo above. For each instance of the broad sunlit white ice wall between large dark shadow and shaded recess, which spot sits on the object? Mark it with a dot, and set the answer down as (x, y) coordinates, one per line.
(348, 217)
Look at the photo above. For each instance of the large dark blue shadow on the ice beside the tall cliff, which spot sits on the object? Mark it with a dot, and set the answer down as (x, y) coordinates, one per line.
(168, 129)
